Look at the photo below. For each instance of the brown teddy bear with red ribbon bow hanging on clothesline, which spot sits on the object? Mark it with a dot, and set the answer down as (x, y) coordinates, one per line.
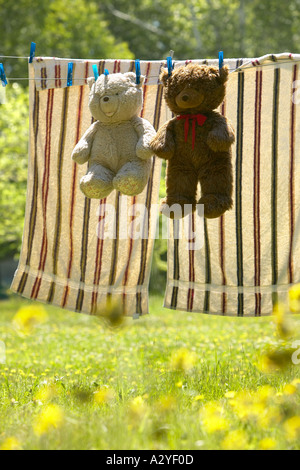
(197, 141)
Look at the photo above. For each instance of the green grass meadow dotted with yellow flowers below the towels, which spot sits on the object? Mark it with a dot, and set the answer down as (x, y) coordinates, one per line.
(75, 356)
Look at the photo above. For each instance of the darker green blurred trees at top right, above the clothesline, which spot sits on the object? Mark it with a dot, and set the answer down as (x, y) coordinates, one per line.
(200, 28)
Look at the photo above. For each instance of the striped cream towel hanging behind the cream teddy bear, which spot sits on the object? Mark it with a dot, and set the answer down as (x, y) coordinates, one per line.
(65, 259)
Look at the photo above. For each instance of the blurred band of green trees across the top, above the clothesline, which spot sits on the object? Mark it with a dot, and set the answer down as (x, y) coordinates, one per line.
(147, 29)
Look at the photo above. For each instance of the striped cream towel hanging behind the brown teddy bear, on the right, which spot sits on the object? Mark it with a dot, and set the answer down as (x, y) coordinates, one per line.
(250, 256)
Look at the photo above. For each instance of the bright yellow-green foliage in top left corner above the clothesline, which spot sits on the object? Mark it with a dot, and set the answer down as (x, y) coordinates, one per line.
(61, 28)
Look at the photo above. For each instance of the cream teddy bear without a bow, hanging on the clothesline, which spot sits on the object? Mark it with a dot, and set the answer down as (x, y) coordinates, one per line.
(116, 145)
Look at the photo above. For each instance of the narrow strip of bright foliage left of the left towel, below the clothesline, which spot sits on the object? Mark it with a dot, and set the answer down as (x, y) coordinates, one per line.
(13, 168)
